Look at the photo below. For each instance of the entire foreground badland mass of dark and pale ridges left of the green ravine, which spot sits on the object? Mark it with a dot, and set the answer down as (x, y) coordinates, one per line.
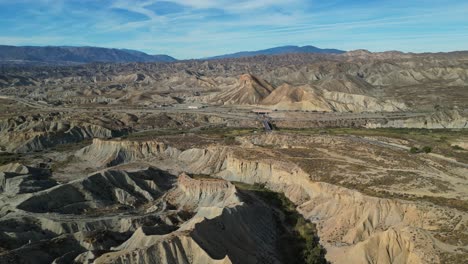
(187, 221)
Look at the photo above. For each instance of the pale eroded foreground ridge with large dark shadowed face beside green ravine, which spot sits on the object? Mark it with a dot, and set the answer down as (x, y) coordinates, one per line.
(224, 230)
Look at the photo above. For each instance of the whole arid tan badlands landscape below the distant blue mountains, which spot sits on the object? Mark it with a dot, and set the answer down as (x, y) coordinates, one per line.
(353, 157)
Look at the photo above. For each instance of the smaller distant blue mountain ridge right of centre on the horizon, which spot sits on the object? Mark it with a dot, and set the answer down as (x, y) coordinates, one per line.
(279, 50)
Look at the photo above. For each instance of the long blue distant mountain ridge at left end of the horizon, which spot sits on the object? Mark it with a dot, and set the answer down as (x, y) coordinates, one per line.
(74, 55)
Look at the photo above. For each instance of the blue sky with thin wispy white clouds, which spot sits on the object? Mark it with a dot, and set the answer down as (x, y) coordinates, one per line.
(199, 28)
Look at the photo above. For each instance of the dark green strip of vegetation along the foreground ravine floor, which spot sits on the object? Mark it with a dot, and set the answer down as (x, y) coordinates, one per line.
(299, 241)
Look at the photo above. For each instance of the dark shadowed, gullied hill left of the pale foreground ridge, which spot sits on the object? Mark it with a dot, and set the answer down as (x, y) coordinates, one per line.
(99, 191)
